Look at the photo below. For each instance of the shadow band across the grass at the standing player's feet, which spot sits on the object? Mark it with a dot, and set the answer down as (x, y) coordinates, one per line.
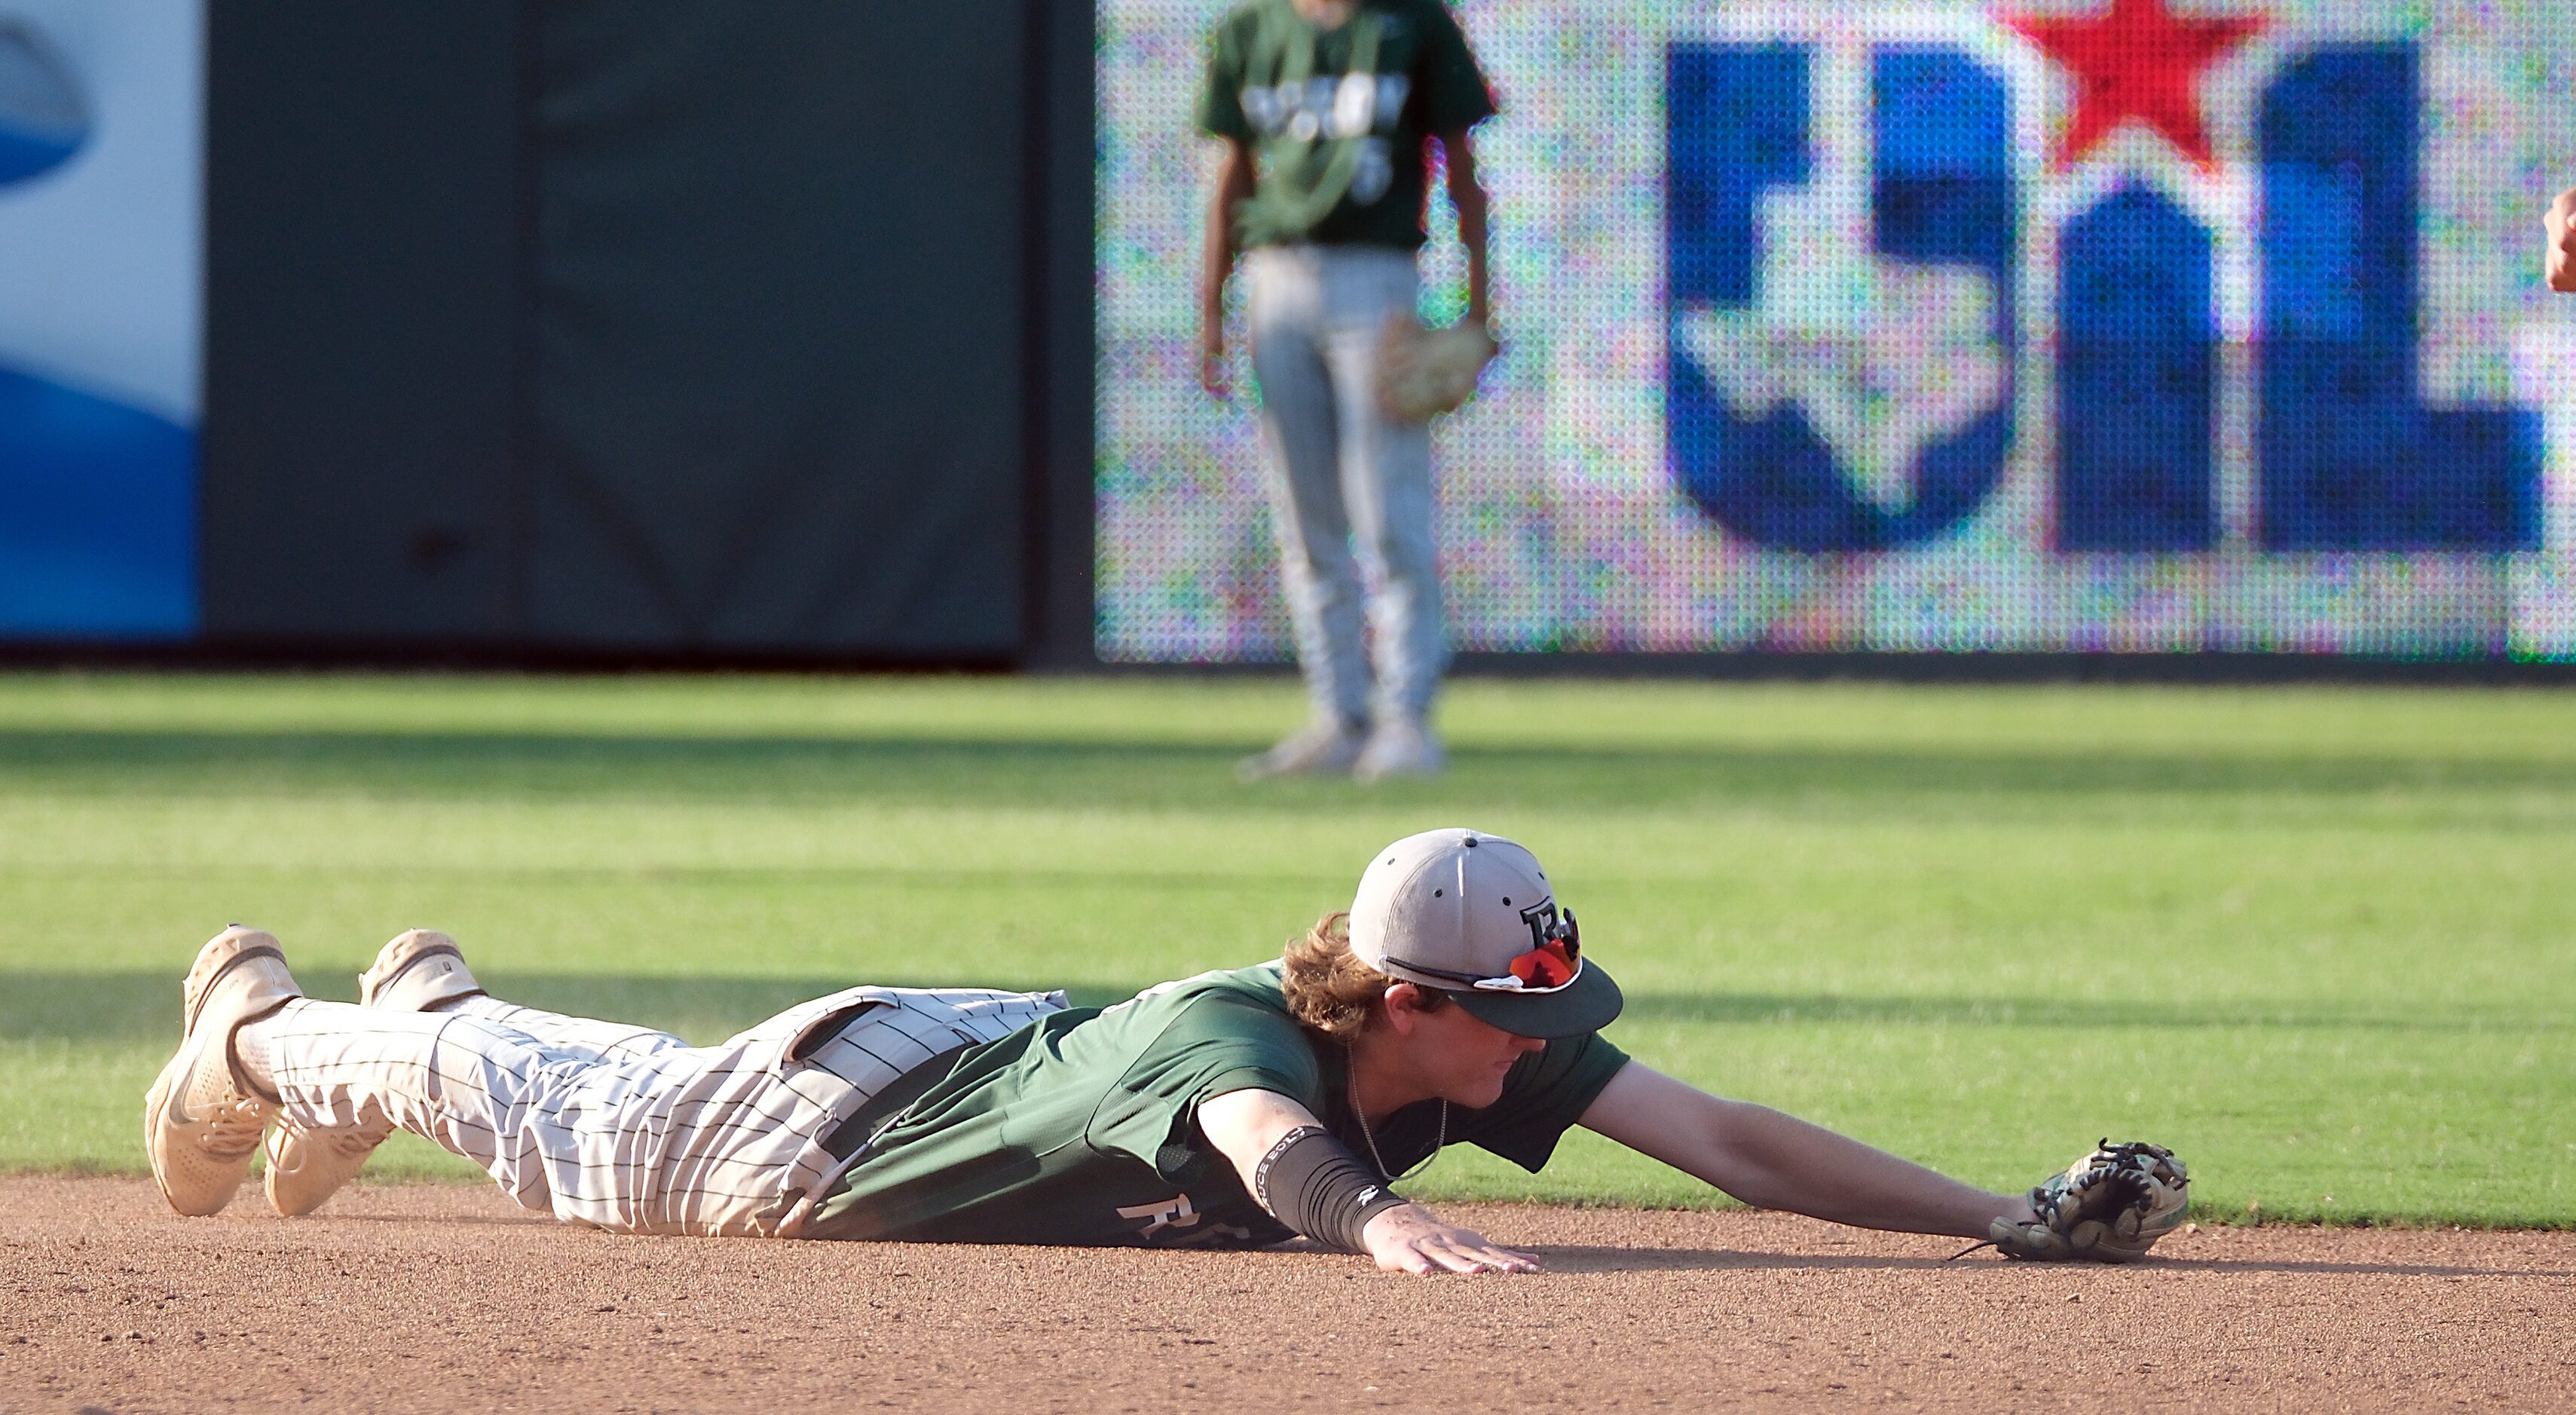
(1094, 775)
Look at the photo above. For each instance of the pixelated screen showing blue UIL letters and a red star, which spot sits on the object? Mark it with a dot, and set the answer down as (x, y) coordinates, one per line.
(2134, 326)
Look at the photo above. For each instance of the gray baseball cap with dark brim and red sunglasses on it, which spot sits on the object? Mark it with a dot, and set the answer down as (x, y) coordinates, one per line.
(1475, 916)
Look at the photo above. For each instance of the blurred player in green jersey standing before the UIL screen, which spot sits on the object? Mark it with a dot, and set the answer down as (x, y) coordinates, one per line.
(1325, 110)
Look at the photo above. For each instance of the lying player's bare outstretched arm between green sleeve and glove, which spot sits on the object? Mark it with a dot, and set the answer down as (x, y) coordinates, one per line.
(1776, 1161)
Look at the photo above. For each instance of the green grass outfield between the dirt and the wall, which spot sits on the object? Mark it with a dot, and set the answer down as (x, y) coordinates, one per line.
(2315, 939)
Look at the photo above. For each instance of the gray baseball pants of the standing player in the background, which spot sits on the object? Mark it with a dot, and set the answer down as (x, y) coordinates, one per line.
(1343, 473)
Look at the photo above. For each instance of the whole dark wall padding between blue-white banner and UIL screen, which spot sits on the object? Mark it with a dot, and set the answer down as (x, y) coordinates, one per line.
(648, 326)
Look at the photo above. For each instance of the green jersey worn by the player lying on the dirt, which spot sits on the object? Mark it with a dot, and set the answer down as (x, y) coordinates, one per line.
(1083, 1128)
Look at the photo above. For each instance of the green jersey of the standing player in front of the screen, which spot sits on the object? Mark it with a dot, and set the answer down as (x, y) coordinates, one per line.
(1336, 120)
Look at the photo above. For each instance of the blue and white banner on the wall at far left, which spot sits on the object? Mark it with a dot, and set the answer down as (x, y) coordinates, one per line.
(102, 274)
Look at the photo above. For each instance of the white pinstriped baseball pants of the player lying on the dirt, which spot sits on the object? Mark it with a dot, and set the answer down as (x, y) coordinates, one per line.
(627, 1128)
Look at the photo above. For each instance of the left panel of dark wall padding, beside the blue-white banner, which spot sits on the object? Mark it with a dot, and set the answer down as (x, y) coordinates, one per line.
(362, 280)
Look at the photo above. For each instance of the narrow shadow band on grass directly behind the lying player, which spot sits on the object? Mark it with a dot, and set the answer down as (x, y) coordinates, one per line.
(707, 1009)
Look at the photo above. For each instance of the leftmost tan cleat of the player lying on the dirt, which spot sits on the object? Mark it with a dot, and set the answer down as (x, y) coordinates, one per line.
(202, 1120)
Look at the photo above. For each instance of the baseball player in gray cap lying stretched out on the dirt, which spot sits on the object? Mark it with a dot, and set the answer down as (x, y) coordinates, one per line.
(1230, 1110)
